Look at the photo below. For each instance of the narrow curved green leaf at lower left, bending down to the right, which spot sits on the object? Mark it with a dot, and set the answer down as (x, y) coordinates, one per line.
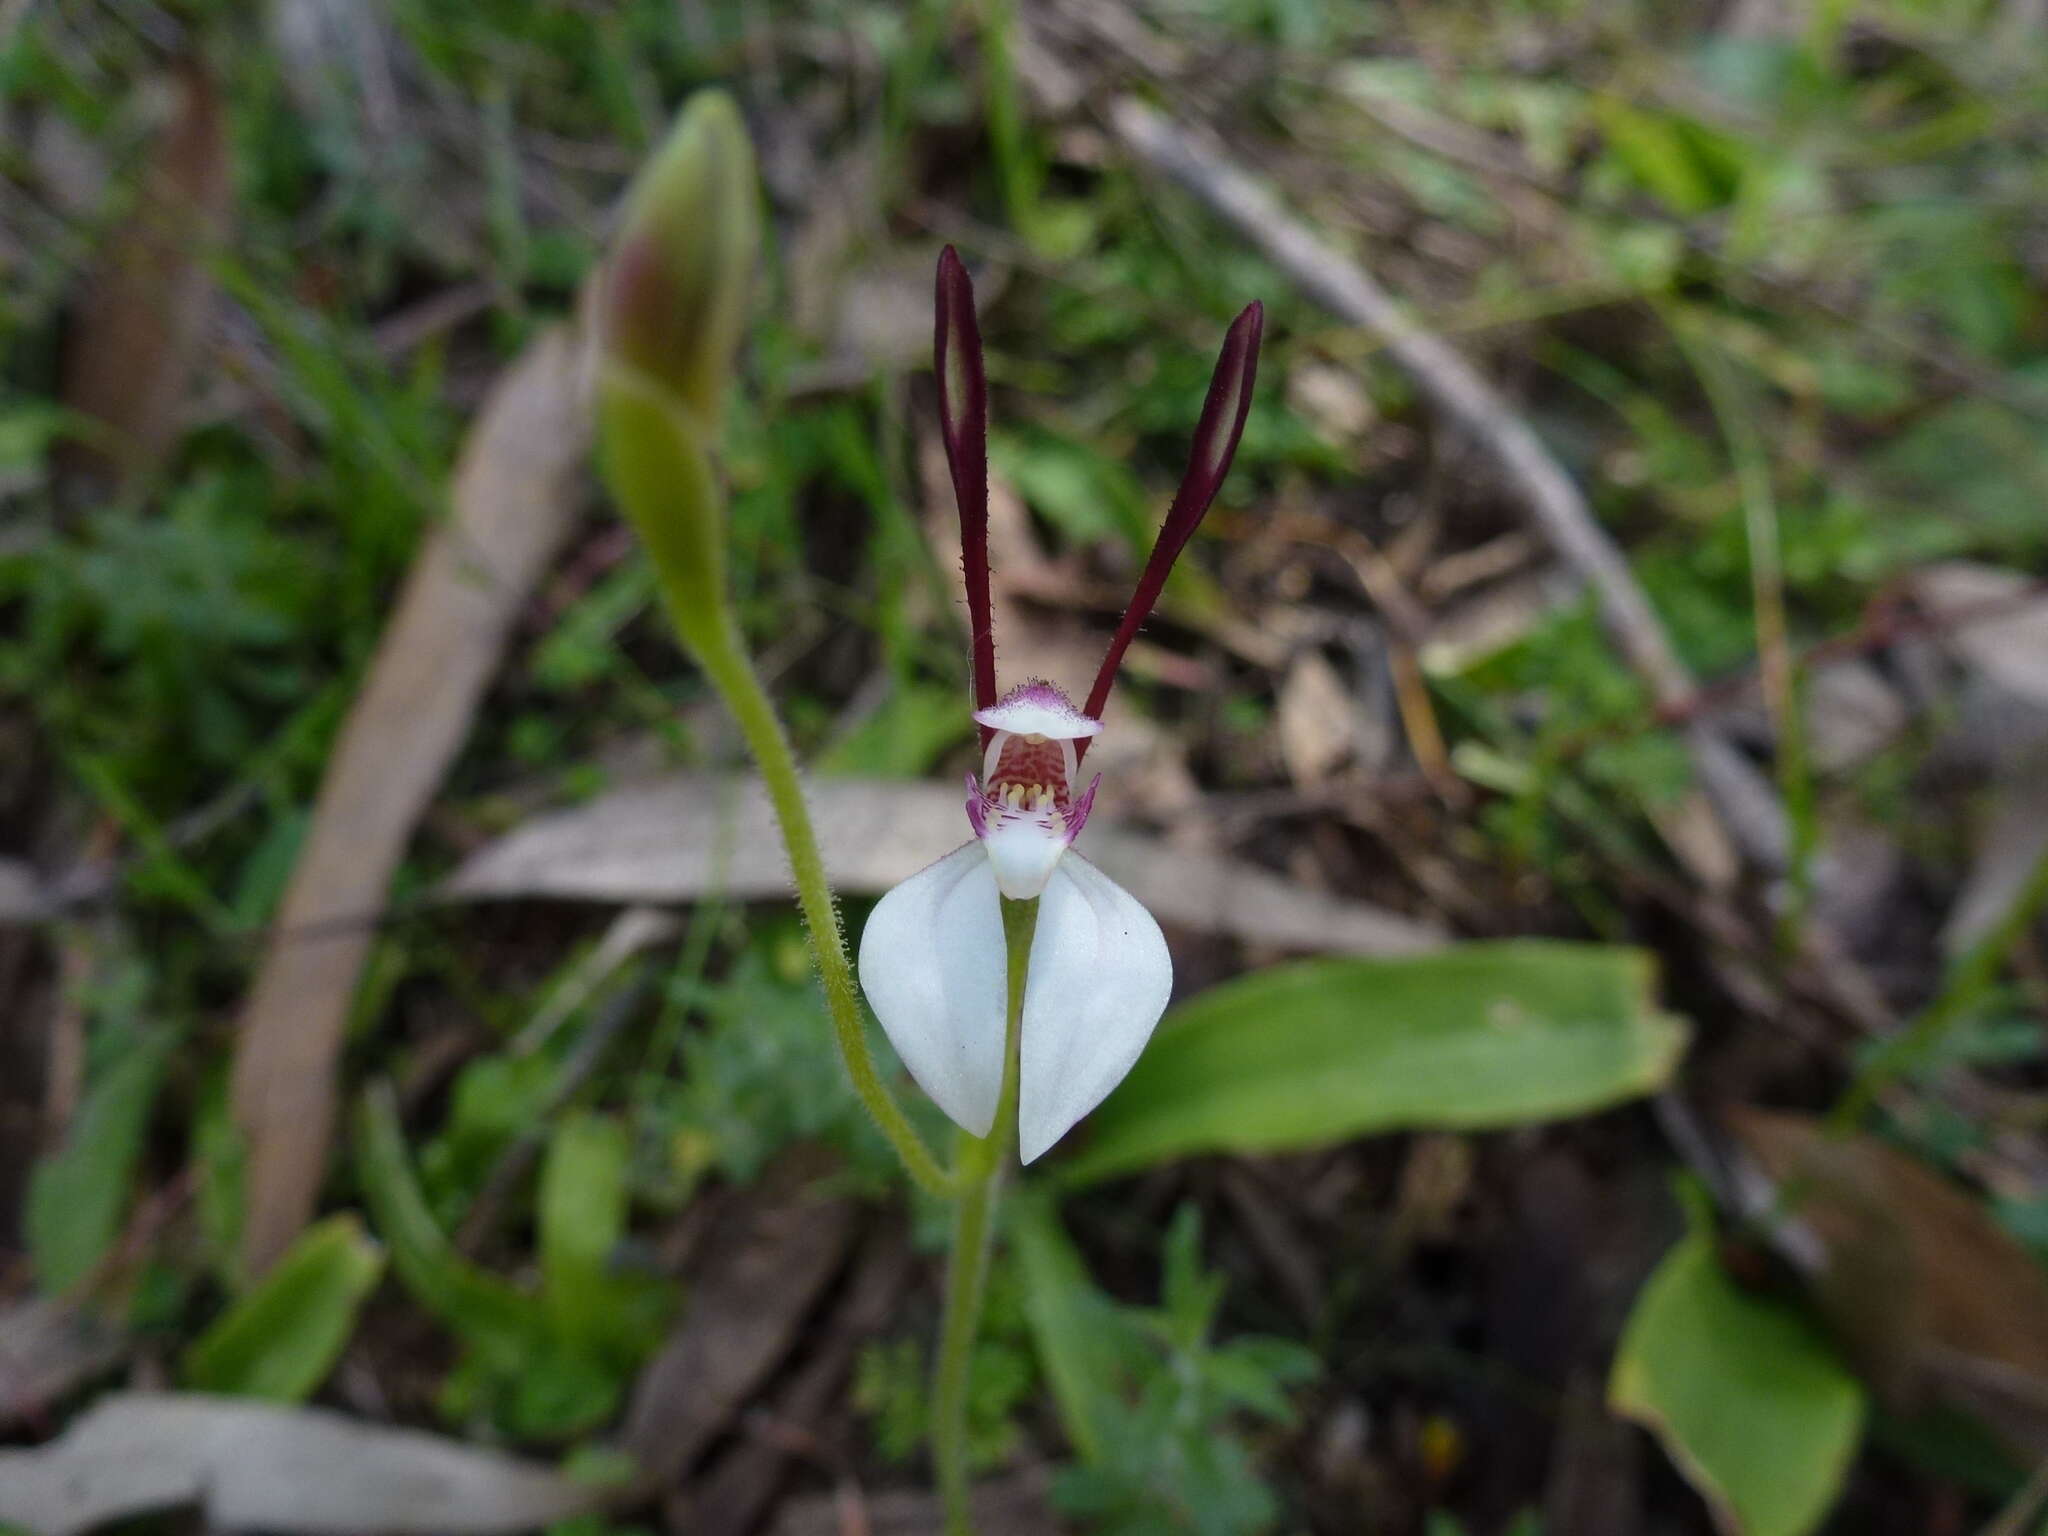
(484, 1310)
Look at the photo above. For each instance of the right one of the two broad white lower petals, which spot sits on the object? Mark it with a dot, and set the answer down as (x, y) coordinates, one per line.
(1099, 980)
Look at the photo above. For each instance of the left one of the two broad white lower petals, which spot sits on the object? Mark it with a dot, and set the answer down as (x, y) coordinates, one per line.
(935, 970)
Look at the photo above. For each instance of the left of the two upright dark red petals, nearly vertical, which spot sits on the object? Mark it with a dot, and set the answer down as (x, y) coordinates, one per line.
(964, 419)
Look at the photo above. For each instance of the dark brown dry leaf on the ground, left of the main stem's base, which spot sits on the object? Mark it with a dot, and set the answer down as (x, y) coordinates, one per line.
(769, 1263)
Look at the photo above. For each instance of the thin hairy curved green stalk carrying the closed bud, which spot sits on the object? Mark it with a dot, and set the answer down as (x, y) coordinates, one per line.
(730, 671)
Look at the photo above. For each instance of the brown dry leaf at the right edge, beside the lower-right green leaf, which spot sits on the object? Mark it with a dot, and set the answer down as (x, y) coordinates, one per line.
(1920, 1283)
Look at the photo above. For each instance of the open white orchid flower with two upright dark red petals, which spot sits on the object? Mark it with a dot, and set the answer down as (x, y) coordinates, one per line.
(933, 957)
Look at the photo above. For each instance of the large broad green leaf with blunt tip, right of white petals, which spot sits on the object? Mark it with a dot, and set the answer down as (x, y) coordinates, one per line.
(1471, 1037)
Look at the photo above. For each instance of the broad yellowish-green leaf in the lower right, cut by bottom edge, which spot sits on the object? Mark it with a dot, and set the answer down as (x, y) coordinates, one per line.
(1748, 1398)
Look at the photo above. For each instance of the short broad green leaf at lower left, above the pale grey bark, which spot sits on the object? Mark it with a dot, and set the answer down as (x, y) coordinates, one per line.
(284, 1338)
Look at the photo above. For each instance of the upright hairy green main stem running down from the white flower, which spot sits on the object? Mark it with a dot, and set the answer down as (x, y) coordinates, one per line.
(980, 1172)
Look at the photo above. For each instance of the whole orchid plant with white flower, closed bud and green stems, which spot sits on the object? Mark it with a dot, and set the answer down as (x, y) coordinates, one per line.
(1017, 982)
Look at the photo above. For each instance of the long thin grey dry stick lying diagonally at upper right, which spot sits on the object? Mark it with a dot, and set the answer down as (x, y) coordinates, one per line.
(1191, 157)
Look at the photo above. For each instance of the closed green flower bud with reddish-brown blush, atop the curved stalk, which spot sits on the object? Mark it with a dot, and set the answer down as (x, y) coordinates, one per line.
(679, 278)
